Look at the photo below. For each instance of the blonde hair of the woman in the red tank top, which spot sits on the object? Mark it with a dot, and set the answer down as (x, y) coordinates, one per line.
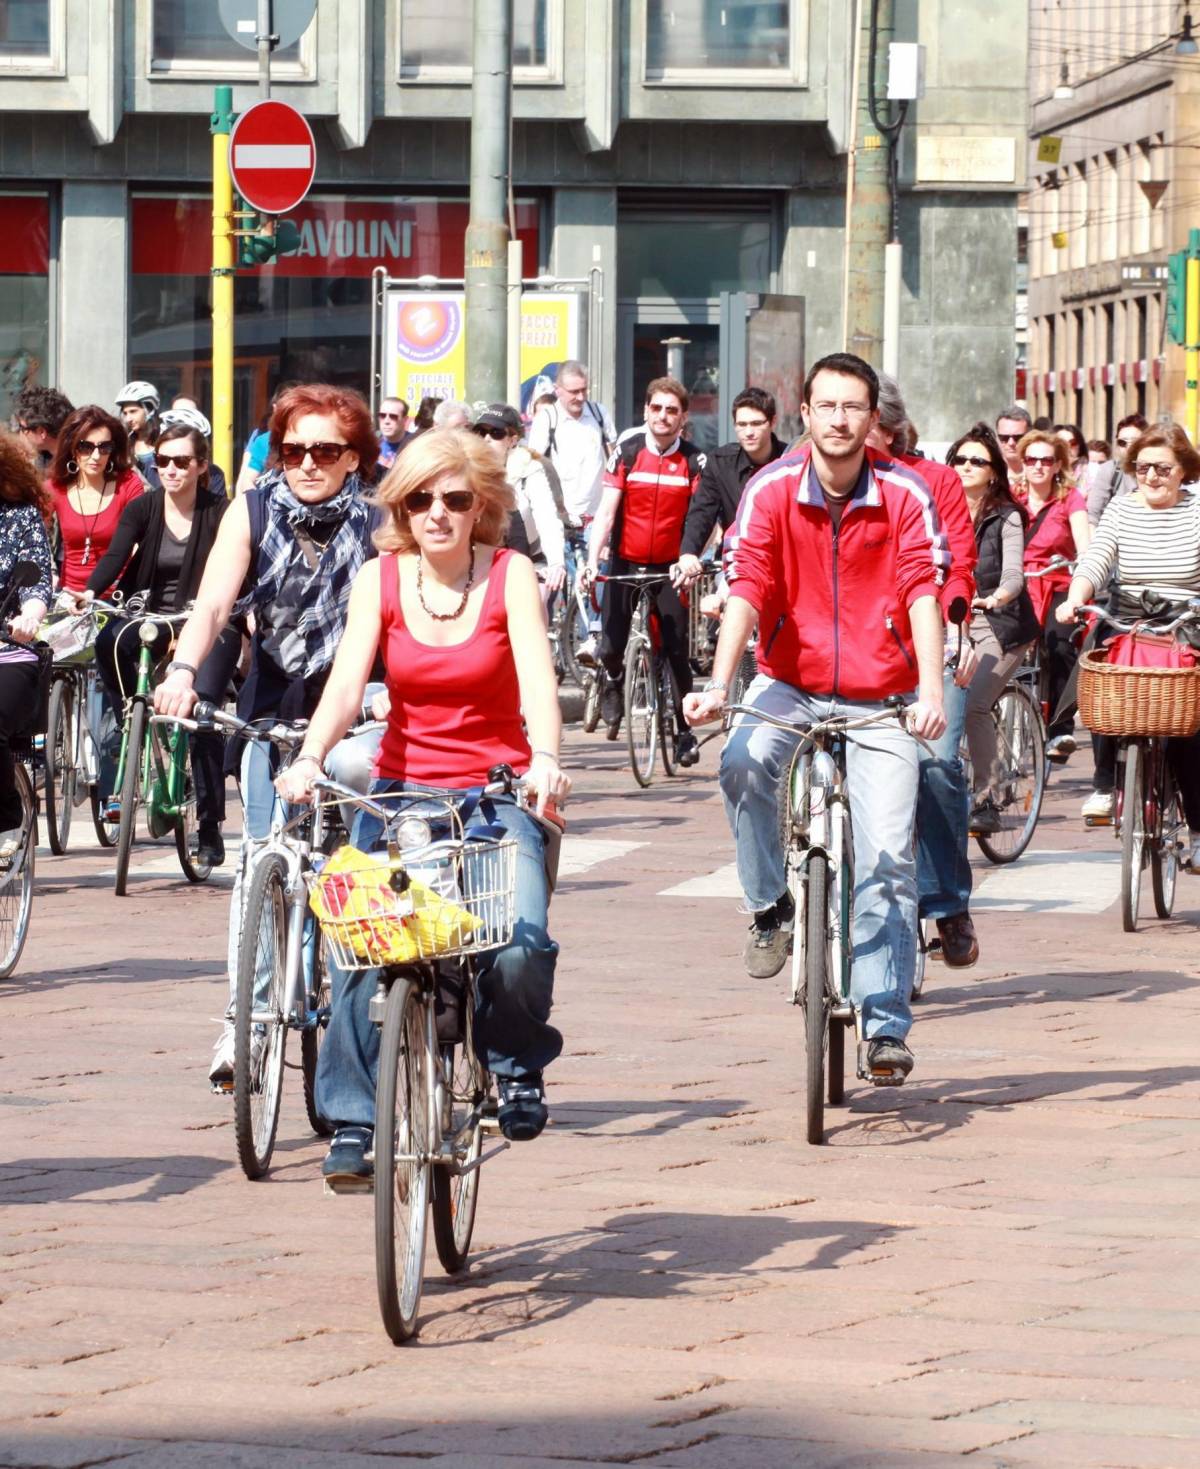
(431, 458)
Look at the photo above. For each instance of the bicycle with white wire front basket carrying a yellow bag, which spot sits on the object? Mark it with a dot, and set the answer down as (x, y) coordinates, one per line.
(435, 909)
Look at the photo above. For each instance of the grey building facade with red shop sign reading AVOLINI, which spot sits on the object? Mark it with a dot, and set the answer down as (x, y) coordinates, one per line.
(688, 149)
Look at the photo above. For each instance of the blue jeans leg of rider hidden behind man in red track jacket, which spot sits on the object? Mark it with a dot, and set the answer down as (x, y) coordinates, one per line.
(944, 872)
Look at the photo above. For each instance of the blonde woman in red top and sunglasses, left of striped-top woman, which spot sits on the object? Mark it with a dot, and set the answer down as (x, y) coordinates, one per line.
(1058, 528)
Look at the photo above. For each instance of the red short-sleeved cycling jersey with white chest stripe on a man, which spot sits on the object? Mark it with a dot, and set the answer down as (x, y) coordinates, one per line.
(656, 494)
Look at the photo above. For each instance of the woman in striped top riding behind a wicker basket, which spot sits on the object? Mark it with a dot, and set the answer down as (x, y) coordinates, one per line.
(1151, 538)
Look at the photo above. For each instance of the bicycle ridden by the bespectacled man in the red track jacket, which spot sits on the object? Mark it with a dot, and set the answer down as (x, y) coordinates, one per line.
(819, 853)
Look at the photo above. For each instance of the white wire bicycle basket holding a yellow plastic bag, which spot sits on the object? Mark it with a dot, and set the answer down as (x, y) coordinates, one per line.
(459, 900)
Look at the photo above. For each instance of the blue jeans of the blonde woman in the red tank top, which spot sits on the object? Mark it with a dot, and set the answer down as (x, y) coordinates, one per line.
(515, 986)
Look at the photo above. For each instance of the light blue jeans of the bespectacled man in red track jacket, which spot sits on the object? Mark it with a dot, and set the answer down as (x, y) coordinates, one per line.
(882, 778)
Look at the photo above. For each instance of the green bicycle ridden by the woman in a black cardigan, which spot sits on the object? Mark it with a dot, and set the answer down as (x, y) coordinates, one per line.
(153, 770)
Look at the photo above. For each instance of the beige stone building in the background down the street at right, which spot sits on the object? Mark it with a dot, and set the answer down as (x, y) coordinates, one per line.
(1116, 118)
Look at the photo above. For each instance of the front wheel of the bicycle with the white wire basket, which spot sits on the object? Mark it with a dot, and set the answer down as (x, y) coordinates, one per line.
(403, 1110)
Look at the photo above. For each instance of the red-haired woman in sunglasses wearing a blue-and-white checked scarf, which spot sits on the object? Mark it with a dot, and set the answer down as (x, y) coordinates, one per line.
(296, 541)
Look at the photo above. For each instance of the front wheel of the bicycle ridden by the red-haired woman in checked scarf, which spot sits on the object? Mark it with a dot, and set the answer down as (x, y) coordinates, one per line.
(261, 1020)
